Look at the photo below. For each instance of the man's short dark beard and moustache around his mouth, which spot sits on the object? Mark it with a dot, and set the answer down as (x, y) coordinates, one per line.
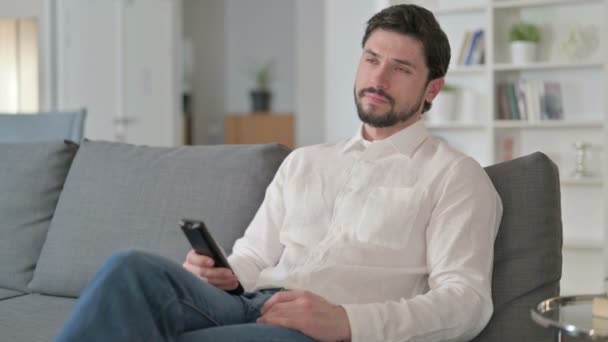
(388, 119)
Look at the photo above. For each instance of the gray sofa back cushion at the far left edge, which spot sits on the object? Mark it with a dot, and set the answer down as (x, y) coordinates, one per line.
(31, 179)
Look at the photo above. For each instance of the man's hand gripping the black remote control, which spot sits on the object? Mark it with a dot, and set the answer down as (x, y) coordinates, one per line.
(202, 267)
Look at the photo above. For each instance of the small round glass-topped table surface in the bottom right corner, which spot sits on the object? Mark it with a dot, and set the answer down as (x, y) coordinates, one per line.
(572, 316)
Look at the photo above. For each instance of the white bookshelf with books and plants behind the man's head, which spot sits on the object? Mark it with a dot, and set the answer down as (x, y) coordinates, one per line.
(584, 89)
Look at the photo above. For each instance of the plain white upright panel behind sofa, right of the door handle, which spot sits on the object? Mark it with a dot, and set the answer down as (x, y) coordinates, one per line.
(152, 61)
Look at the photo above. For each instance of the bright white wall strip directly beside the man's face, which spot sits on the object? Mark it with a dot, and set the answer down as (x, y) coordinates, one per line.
(345, 24)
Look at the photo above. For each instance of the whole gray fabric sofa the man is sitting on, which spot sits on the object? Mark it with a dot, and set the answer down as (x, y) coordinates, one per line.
(65, 208)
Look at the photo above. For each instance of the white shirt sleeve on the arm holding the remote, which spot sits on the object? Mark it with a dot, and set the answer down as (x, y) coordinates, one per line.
(260, 247)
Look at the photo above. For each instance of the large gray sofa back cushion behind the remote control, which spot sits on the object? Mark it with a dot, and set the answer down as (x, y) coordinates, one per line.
(121, 196)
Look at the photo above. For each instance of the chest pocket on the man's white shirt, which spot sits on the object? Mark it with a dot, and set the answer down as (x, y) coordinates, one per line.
(391, 215)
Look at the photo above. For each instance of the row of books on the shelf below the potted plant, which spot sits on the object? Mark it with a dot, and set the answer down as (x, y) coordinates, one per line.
(530, 100)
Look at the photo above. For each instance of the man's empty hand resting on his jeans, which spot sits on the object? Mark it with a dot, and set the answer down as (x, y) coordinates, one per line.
(307, 313)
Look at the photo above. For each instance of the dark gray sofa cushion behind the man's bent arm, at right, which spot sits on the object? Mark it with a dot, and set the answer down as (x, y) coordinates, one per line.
(528, 247)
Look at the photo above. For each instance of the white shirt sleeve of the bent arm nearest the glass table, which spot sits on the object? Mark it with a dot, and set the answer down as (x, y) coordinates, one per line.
(460, 249)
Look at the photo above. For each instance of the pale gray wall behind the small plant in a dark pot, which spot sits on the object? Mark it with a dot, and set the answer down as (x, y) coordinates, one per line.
(255, 32)
